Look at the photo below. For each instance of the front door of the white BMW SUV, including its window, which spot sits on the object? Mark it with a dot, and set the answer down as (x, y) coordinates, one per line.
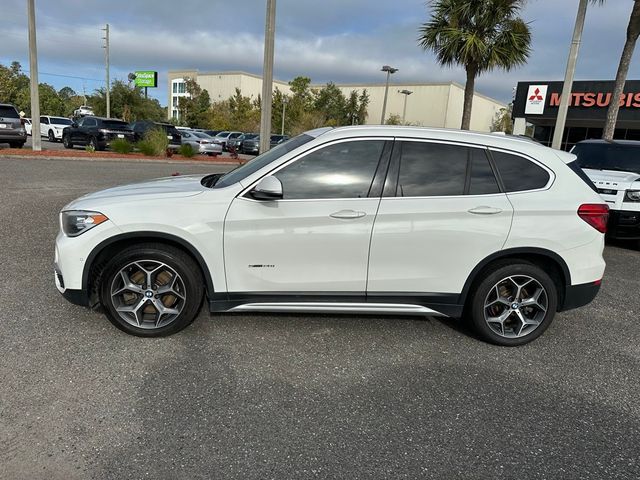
(315, 240)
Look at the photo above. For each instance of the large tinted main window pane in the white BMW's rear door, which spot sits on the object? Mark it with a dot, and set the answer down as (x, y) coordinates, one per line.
(431, 169)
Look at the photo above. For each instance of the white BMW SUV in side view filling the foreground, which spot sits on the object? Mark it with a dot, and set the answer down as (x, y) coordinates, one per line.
(369, 219)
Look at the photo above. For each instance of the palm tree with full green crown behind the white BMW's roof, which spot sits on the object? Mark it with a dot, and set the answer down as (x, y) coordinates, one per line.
(478, 35)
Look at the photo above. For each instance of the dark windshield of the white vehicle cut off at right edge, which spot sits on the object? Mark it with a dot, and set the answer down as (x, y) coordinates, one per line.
(608, 156)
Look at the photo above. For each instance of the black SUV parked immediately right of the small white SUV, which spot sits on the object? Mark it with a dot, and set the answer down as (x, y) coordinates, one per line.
(96, 131)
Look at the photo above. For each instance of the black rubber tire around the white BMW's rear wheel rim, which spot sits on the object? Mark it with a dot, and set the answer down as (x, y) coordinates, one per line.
(488, 281)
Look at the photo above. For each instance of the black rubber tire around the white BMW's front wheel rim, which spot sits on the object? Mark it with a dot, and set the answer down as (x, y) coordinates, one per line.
(177, 260)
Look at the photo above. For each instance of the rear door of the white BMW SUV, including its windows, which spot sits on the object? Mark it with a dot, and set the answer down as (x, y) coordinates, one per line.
(442, 212)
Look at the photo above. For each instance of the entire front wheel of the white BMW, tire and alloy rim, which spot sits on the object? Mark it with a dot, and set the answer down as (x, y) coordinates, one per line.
(151, 290)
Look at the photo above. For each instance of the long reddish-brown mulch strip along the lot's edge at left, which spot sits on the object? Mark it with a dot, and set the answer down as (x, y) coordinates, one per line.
(74, 153)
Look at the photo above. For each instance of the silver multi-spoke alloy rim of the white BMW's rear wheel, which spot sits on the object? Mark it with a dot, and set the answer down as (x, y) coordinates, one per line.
(516, 306)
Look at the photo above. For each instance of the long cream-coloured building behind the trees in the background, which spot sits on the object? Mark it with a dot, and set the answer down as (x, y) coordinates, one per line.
(429, 104)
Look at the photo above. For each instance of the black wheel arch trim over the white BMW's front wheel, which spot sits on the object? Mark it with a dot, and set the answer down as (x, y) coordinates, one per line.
(97, 259)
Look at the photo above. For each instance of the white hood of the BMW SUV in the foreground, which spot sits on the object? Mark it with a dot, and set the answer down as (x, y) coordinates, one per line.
(168, 187)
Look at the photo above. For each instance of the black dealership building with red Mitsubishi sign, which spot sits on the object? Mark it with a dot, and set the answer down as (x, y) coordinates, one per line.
(536, 104)
